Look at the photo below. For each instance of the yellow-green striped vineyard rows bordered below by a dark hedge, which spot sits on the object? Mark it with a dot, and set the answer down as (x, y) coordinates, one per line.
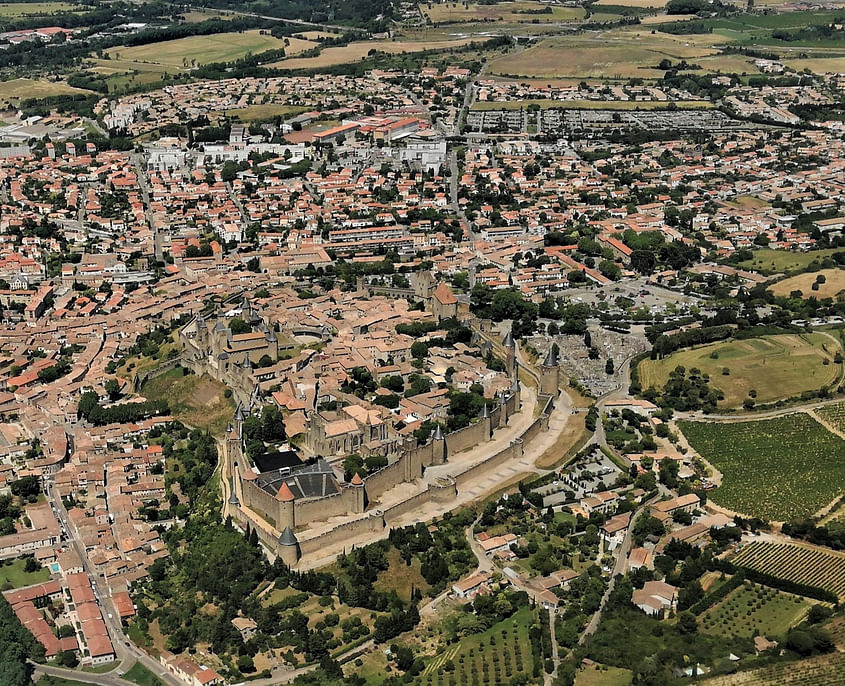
(803, 564)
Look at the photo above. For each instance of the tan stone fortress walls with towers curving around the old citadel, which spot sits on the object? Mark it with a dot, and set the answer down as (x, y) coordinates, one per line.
(287, 528)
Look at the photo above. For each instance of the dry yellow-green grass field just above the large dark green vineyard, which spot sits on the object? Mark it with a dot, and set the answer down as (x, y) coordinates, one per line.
(774, 366)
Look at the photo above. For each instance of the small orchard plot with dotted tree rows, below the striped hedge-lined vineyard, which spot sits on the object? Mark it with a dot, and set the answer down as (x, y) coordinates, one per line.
(751, 608)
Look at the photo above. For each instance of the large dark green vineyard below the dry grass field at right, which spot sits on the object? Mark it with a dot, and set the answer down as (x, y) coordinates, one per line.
(779, 469)
